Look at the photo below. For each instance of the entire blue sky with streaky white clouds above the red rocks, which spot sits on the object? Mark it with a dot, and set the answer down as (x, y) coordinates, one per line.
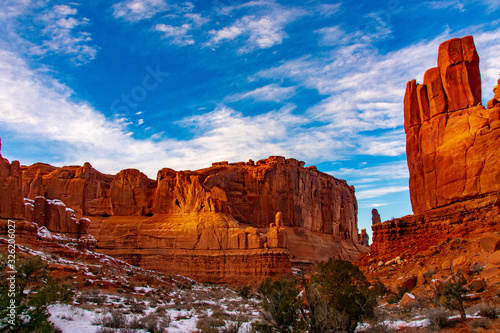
(149, 84)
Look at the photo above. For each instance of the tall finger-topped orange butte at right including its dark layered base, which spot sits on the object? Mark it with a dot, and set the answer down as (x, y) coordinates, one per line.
(452, 144)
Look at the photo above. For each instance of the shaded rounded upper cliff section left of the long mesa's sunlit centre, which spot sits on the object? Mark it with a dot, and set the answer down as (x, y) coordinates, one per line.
(90, 192)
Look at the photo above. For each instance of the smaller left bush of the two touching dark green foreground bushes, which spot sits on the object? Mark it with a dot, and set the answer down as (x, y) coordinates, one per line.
(281, 303)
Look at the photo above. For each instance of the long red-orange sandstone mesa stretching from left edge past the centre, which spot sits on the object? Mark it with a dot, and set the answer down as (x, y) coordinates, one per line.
(229, 223)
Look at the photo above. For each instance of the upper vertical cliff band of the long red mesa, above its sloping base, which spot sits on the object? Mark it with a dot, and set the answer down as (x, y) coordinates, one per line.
(251, 193)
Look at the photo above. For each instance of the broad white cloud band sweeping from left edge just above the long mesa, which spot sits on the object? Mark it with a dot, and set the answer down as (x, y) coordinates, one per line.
(35, 103)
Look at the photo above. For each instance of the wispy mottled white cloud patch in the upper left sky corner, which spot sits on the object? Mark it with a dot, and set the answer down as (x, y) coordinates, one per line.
(61, 34)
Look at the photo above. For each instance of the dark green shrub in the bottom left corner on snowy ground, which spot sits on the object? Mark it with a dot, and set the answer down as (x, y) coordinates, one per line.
(34, 291)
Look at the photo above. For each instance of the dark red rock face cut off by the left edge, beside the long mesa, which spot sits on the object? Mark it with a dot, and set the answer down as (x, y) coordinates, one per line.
(11, 200)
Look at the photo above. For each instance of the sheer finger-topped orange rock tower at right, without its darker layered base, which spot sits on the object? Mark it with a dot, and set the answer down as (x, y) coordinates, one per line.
(451, 140)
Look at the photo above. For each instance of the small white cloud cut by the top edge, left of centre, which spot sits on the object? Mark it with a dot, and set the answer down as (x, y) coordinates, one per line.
(137, 10)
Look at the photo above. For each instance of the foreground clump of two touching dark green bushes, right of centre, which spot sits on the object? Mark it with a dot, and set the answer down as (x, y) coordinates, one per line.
(336, 299)
